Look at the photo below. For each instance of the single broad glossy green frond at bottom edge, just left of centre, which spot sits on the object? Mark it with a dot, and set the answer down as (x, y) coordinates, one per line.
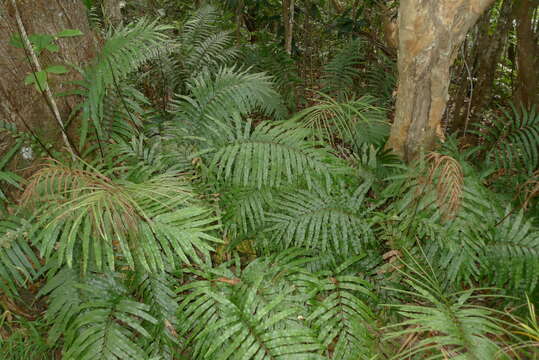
(244, 318)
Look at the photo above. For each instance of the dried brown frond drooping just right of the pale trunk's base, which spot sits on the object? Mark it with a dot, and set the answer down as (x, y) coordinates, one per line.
(446, 174)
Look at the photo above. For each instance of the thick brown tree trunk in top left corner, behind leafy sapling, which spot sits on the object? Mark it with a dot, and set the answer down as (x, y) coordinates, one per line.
(21, 104)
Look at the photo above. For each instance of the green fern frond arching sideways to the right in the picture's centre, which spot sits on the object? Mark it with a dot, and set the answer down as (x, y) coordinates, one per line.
(270, 154)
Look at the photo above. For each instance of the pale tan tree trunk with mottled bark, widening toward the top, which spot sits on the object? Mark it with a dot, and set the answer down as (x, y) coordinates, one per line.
(430, 33)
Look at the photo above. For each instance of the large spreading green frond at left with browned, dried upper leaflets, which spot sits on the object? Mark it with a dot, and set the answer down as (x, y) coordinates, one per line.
(86, 215)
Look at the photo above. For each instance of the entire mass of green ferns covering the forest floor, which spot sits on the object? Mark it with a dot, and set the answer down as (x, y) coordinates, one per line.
(221, 204)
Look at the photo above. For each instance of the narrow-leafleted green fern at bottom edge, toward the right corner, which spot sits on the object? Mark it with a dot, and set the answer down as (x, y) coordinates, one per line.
(443, 325)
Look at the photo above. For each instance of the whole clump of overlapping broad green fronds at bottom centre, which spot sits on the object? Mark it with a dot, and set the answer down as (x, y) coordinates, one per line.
(276, 309)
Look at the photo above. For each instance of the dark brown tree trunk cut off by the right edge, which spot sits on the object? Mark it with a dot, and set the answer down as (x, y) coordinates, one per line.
(527, 89)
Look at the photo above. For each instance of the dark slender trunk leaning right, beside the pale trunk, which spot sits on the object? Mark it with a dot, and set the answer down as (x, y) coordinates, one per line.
(489, 47)
